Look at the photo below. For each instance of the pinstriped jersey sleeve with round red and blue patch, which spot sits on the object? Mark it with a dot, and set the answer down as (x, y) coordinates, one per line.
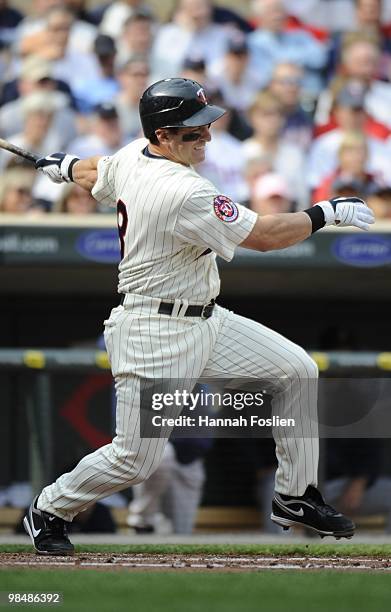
(212, 220)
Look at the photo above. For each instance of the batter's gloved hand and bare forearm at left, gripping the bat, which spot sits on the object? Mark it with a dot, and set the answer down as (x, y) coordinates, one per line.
(61, 167)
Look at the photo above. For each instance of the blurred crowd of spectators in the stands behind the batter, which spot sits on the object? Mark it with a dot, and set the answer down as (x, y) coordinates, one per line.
(307, 85)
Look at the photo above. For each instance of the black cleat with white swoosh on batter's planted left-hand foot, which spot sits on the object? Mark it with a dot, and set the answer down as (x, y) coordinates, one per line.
(47, 532)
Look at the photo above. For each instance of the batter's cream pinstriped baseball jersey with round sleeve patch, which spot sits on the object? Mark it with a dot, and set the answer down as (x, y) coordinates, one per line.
(172, 223)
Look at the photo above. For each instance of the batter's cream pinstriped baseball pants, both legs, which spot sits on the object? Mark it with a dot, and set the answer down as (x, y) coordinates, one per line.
(144, 345)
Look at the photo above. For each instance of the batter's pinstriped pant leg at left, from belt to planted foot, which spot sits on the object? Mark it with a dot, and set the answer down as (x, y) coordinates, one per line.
(140, 348)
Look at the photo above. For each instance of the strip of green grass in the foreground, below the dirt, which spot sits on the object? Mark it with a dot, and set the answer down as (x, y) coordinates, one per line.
(270, 591)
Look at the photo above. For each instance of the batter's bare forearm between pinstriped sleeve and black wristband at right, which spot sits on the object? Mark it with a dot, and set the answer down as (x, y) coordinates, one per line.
(279, 231)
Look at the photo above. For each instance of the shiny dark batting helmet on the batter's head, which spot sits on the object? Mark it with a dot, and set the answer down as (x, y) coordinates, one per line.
(176, 102)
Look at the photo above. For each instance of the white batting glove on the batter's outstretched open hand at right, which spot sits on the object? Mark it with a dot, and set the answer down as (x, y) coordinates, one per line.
(347, 211)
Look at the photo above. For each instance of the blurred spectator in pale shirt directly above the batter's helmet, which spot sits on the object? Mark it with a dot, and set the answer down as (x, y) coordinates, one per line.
(191, 32)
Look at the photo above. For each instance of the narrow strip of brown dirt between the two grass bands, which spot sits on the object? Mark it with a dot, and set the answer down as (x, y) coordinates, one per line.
(194, 562)
